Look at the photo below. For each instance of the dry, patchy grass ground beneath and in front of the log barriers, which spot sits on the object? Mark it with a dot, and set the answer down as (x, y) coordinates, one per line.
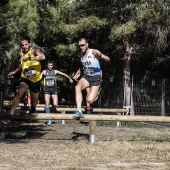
(35, 146)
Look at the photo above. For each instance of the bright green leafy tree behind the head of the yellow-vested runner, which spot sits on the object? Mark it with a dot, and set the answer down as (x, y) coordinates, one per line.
(18, 18)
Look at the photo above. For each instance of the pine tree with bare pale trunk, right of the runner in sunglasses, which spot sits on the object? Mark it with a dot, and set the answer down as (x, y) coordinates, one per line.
(134, 26)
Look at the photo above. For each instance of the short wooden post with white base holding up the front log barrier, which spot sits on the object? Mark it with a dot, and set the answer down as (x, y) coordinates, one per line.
(92, 131)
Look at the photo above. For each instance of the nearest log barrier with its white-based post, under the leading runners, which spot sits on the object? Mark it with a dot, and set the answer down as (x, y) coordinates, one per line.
(93, 118)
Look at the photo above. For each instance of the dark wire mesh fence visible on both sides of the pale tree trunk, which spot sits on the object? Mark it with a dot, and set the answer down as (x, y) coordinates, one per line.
(149, 96)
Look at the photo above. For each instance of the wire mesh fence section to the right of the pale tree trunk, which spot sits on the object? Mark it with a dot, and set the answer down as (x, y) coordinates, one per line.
(151, 97)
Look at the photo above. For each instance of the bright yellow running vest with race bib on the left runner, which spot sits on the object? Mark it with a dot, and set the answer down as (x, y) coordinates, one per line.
(31, 69)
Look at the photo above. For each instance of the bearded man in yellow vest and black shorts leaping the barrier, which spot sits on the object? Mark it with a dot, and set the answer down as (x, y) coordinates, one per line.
(30, 76)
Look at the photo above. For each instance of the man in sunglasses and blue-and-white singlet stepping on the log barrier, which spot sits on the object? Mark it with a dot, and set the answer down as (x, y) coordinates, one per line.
(91, 75)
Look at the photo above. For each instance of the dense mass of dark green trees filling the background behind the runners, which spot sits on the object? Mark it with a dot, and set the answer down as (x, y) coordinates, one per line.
(135, 34)
